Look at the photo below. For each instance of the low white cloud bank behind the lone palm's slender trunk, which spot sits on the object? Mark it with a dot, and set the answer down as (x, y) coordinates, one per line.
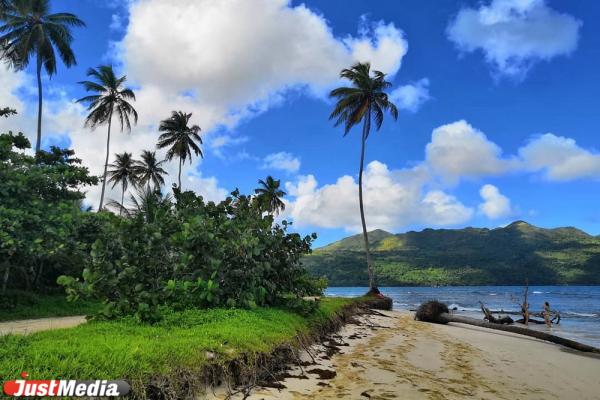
(393, 198)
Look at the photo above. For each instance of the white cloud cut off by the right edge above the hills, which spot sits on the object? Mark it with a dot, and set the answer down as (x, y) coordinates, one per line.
(560, 158)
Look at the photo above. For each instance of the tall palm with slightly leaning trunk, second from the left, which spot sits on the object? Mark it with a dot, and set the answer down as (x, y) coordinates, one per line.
(111, 98)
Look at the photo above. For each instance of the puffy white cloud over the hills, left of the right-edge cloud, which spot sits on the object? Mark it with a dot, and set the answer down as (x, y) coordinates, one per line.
(458, 150)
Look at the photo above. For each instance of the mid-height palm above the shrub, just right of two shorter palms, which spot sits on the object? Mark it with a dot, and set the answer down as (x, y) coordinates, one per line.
(179, 138)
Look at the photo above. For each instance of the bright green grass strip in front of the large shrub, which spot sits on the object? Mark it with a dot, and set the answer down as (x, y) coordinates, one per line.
(136, 352)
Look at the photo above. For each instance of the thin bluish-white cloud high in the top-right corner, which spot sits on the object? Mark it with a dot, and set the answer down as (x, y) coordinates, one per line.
(514, 34)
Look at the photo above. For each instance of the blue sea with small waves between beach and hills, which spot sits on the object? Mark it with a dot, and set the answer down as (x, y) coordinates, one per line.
(579, 306)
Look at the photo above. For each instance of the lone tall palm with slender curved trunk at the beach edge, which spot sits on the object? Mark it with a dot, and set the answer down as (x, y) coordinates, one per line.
(365, 99)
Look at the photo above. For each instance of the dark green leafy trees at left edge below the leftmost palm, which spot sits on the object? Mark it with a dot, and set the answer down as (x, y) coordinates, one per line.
(43, 231)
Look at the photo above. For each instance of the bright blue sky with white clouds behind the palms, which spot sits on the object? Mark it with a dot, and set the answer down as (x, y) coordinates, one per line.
(498, 100)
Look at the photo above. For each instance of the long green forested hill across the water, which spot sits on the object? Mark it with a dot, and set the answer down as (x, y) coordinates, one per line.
(470, 256)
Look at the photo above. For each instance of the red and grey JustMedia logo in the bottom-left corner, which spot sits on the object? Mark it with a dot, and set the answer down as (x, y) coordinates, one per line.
(65, 388)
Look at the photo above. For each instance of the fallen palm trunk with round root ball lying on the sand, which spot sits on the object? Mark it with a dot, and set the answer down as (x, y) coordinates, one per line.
(437, 312)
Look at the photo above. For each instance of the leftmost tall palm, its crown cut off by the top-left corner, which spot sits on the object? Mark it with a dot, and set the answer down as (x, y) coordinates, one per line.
(31, 31)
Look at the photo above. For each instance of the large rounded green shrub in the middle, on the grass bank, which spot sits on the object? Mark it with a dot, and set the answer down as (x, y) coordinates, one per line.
(190, 253)
